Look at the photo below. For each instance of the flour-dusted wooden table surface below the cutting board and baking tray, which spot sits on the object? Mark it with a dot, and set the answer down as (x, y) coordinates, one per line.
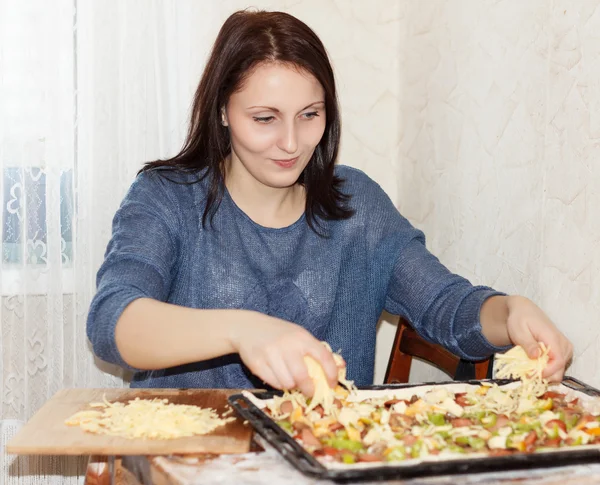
(269, 468)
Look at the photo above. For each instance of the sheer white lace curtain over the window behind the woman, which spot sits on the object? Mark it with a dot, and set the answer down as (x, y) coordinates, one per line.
(88, 91)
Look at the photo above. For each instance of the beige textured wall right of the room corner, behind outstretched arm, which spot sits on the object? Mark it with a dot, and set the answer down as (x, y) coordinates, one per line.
(499, 159)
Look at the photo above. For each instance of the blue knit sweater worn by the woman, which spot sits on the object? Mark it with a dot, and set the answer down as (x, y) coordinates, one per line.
(335, 287)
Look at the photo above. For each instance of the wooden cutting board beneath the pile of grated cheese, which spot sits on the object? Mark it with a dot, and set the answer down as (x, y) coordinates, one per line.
(47, 434)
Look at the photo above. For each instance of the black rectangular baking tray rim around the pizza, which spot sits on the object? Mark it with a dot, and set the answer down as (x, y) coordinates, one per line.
(301, 459)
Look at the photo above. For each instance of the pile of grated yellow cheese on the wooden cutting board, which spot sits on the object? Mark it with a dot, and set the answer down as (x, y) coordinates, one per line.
(154, 419)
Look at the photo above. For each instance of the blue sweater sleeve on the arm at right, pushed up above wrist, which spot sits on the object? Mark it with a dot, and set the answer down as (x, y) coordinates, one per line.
(442, 307)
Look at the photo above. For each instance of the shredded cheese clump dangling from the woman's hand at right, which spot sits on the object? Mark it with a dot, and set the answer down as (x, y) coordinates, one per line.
(516, 364)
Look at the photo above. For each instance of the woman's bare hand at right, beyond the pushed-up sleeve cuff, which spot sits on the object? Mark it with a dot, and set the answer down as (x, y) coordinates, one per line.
(527, 325)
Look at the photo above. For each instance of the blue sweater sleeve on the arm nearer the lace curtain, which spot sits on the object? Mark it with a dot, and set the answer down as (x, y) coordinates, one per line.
(139, 262)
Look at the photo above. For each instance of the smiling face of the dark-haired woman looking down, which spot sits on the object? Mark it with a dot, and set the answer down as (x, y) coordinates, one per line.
(276, 120)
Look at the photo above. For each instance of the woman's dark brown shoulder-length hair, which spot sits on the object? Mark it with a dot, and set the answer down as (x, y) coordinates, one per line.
(245, 40)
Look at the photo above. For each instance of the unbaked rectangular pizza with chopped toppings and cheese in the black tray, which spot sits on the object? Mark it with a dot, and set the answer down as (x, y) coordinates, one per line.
(433, 422)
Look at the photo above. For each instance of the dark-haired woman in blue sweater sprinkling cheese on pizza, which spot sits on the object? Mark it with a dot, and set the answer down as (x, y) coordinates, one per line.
(231, 261)
